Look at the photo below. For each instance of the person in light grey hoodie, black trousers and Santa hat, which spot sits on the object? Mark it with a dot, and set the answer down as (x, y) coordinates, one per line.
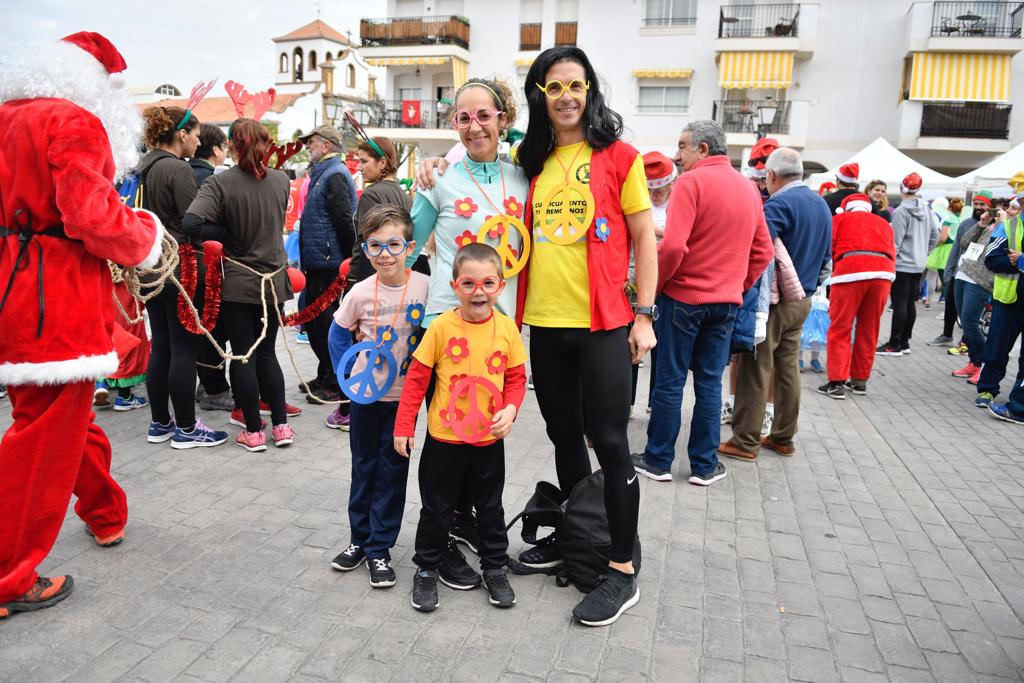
(915, 234)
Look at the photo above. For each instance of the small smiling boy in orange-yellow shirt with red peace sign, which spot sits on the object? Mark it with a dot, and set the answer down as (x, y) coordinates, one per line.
(480, 361)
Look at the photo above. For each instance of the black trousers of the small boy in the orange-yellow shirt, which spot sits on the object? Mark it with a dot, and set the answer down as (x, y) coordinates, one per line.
(446, 469)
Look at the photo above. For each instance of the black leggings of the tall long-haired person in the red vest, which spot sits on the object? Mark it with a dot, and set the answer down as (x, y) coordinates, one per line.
(572, 364)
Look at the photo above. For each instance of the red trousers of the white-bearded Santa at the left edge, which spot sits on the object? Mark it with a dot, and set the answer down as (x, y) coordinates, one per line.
(54, 450)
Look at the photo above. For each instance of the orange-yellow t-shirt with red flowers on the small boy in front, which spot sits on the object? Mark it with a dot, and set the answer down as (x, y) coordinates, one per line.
(456, 349)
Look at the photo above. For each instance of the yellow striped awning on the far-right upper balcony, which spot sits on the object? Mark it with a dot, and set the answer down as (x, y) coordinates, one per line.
(961, 76)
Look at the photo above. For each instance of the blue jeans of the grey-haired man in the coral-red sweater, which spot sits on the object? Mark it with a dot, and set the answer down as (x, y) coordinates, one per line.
(690, 337)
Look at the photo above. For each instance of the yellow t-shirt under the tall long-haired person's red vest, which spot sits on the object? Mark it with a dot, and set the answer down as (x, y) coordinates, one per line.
(560, 282)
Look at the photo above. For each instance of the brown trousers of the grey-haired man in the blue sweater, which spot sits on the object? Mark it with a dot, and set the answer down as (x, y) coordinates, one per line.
(780, 351)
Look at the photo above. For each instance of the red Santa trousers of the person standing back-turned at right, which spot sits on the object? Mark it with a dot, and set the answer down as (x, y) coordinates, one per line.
(864, 303)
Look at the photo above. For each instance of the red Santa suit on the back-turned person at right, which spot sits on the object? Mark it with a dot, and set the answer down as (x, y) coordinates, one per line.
(864, 269)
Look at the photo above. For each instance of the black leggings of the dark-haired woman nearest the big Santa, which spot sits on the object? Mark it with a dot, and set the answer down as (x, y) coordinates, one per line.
(170, 377)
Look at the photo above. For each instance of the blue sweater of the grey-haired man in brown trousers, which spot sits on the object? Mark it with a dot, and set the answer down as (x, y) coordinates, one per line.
(802, 221)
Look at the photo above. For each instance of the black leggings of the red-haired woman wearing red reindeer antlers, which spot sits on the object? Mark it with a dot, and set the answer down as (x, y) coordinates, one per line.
(242, 324)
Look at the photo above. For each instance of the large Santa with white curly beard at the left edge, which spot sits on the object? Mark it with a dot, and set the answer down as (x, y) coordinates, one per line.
(66, 132)
